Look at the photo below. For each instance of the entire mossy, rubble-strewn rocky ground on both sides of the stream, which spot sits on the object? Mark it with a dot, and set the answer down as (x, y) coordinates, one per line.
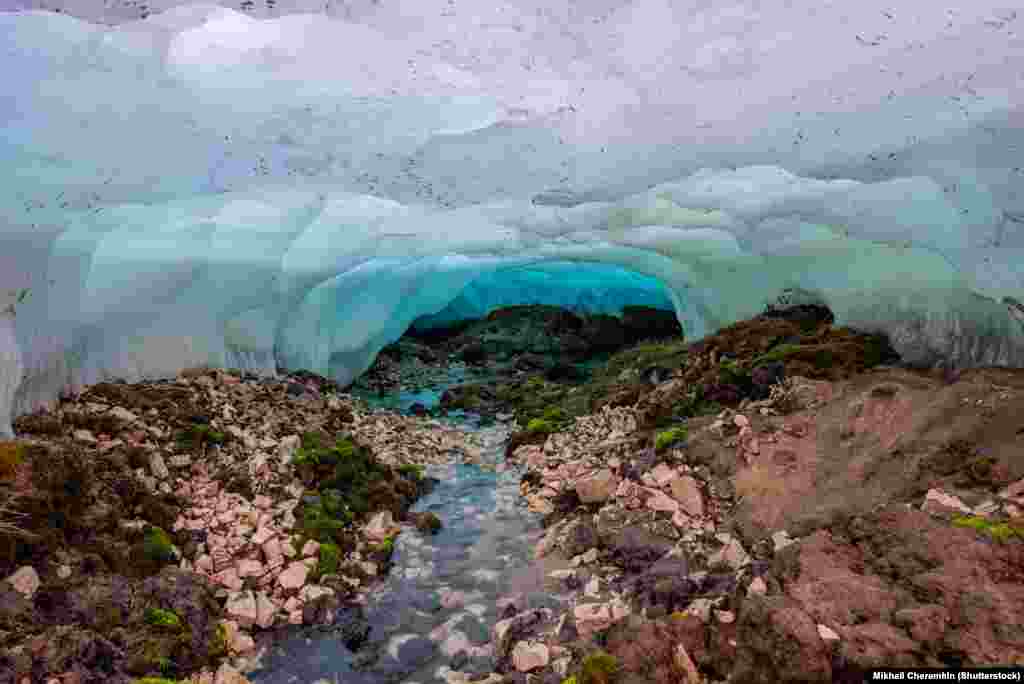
(781, 502)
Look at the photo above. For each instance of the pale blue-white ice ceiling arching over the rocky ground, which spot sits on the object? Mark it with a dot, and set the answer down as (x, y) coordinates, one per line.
(211, 187)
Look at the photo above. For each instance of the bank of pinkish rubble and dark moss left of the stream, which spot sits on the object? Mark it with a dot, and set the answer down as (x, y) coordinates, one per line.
(152, 531)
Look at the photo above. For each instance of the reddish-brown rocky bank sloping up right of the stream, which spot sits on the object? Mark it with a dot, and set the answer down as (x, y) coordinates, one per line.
(867, 517)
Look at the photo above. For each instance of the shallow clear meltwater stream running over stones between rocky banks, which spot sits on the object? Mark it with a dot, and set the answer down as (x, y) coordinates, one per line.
(437, 609)
